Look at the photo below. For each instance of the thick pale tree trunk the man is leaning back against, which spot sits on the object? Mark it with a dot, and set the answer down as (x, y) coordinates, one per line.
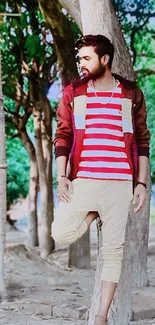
(93, 23)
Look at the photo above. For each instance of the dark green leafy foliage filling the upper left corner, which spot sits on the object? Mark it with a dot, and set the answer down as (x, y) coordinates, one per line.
(24, 39)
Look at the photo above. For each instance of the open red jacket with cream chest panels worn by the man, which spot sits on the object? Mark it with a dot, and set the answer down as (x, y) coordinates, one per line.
(69, 137)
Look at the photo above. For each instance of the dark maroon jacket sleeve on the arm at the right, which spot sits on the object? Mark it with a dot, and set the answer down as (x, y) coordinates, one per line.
(141, 131)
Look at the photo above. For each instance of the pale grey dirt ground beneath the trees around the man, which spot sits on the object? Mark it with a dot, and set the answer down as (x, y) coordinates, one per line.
(35, 287)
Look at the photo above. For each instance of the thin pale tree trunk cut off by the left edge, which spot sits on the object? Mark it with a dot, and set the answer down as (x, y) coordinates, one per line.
(2, 190)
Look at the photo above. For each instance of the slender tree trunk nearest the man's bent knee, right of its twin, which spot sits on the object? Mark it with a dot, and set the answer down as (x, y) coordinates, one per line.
(45, 234)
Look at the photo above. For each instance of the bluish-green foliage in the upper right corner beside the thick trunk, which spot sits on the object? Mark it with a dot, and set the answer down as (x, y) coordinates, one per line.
(137, 20)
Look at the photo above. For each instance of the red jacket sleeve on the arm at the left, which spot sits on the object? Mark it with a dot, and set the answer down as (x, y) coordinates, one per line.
(64, 133)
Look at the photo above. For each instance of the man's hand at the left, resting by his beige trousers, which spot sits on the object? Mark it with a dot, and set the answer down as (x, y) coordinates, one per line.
(64, 189)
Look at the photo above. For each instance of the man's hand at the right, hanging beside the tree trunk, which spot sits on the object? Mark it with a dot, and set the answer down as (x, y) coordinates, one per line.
(139, 196)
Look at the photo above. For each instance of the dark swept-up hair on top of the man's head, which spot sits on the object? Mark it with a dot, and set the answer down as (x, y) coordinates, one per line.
(101, 44)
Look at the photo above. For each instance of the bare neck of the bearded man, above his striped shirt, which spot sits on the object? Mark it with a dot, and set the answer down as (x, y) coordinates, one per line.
(105, 82)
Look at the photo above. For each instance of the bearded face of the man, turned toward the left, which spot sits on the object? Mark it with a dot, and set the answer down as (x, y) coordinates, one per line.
(90, 63)
